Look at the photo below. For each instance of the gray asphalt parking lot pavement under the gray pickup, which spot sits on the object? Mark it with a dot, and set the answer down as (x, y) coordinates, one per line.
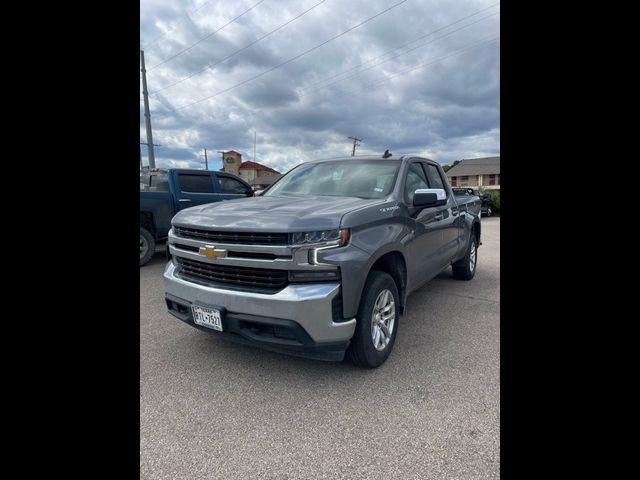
(215, 409)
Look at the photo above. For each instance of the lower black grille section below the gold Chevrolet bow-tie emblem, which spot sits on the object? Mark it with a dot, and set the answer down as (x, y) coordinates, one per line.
(245, 276)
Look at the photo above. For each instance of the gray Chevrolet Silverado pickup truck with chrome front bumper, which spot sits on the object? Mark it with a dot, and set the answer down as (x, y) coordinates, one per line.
(321, 264)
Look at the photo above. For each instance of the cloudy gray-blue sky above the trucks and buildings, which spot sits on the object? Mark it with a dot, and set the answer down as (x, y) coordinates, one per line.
(422, 77)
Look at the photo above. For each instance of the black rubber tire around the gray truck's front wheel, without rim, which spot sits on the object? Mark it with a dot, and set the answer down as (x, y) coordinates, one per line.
(362, 351)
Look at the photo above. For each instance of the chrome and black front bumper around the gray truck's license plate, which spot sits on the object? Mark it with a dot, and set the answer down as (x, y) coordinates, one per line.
(302, 313)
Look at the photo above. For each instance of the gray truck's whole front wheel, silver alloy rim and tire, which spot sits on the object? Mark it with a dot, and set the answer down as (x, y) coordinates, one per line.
(376, 322)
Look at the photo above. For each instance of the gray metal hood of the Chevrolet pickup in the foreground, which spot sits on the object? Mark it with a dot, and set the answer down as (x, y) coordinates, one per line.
(273, 214)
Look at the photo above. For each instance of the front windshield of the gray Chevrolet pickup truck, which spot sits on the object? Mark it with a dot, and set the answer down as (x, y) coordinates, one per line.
(352, 178)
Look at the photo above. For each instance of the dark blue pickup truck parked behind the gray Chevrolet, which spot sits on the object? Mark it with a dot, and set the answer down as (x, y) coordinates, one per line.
(165, 192)
